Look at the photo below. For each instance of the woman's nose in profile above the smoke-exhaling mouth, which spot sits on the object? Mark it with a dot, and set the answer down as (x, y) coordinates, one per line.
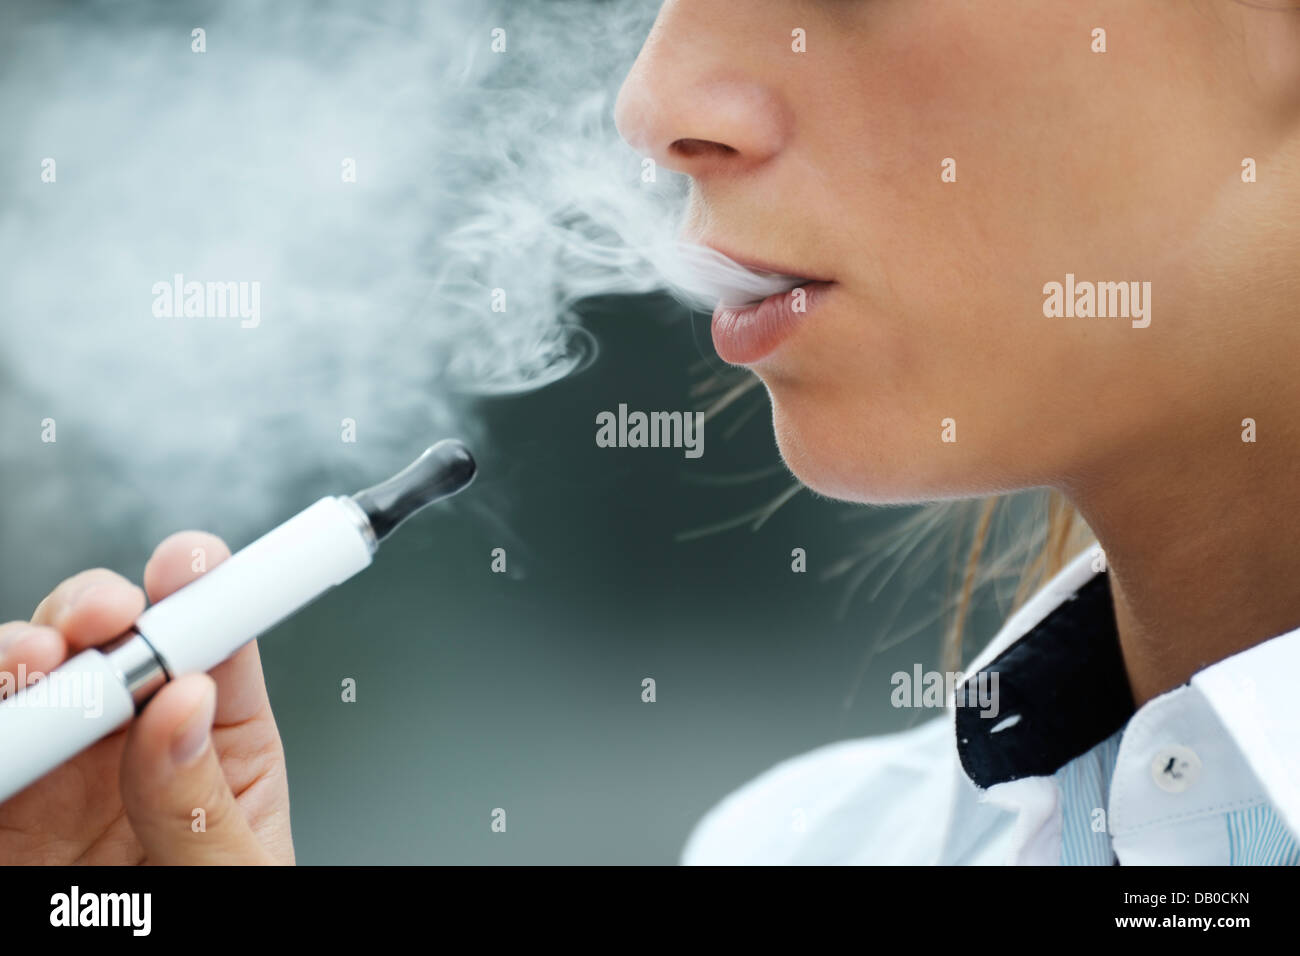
(695, 105)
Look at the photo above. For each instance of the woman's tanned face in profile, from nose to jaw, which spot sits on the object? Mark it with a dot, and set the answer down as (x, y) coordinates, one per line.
(1124, 166)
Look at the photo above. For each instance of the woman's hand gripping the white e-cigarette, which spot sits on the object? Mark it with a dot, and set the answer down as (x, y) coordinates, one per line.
(203, 742)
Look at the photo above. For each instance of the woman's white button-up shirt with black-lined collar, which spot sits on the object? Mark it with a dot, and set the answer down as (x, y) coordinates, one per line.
(1208, 773)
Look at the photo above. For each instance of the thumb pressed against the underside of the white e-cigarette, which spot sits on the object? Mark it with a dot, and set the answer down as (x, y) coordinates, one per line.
(176, 795)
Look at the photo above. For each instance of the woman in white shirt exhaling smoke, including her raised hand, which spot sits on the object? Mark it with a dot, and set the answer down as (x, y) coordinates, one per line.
(1030, 244)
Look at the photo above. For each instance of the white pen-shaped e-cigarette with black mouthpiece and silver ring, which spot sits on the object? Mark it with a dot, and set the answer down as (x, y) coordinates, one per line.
(211, 618)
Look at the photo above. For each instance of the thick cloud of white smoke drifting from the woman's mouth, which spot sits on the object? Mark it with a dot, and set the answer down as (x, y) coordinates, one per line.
(475, 171)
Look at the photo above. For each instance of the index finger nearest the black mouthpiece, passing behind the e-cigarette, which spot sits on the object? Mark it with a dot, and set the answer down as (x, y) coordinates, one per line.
(180, 560)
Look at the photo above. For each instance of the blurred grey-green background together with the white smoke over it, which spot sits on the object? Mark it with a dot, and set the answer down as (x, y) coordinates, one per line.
(475, 690)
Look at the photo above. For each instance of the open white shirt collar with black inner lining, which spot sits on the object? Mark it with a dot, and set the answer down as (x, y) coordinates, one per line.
(1063, 689)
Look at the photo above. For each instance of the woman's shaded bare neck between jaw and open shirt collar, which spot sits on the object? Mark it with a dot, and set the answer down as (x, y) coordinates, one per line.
(1203, 546)
